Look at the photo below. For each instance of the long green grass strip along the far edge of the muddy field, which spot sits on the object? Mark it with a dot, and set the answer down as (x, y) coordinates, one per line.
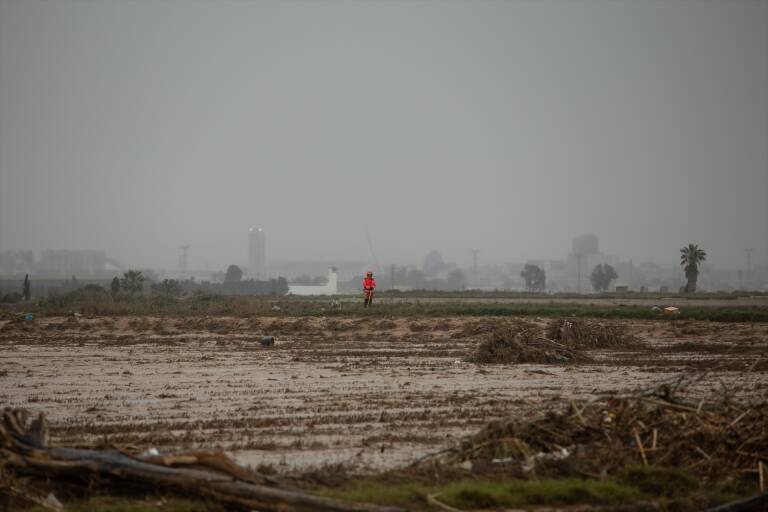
(246, 306)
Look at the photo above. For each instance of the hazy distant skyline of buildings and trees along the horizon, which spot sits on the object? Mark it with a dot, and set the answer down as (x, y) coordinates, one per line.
(585, 269)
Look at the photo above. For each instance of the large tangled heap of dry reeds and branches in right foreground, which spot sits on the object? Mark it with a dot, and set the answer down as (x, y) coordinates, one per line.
(600, 437)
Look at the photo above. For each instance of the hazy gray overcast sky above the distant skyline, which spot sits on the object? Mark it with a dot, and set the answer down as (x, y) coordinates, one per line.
(138, 126)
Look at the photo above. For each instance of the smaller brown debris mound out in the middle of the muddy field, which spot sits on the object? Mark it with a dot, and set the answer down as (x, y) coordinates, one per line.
(561, 341)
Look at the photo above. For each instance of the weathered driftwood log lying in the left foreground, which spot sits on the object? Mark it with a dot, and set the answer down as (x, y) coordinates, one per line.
(25, 455)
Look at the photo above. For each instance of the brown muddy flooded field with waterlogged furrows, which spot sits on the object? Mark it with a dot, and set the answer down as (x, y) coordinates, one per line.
(366, 393)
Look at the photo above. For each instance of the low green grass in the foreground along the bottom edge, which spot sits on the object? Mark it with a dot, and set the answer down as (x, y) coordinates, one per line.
(660, 489)
